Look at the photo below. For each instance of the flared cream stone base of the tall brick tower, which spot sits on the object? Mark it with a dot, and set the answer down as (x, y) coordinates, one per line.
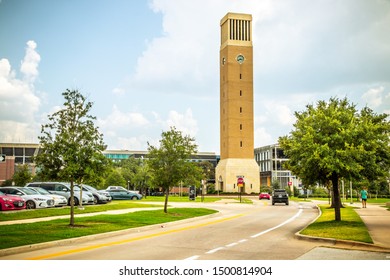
(229, 170)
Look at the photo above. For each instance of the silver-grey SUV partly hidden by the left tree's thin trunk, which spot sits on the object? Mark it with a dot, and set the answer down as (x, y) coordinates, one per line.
(63, 189)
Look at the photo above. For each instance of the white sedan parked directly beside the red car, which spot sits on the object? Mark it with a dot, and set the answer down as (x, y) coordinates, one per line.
(33, 200)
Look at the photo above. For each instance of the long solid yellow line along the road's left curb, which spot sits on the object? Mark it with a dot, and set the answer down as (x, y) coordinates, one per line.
(87, 248)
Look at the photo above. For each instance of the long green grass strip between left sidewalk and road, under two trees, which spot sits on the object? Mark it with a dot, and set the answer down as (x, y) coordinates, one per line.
(32, 233)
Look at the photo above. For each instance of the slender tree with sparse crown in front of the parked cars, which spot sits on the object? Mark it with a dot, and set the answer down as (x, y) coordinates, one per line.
(71, 145)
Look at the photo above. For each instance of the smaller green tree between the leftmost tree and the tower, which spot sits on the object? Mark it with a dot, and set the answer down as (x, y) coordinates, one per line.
(170, 162)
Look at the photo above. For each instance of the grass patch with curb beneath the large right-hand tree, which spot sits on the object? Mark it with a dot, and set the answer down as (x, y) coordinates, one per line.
(351, 226)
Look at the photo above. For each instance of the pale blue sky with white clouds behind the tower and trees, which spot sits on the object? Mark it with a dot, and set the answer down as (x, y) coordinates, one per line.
(151, 64)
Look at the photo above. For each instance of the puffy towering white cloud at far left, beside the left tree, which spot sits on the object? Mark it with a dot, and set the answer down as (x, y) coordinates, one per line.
(18, 100)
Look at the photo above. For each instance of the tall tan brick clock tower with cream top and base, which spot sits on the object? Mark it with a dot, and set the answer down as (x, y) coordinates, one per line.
(237, 167)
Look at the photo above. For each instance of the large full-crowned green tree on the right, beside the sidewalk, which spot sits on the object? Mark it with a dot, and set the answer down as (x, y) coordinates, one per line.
(333, 140)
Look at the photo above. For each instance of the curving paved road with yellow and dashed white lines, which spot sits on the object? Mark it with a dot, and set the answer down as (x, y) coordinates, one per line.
(256, 231)
